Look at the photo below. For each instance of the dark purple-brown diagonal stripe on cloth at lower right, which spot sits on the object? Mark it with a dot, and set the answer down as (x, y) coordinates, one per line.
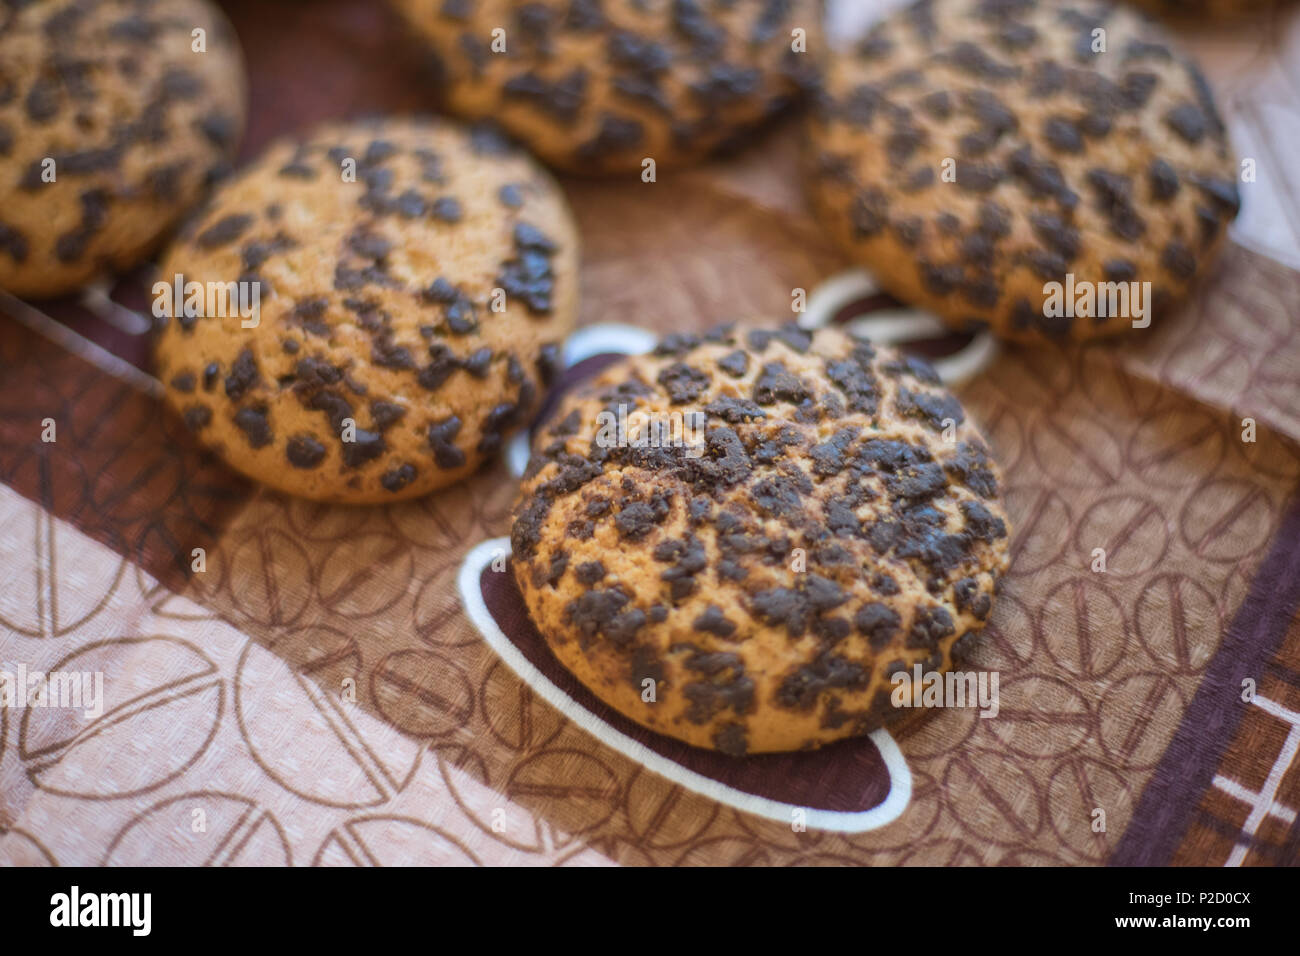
(1168, 804)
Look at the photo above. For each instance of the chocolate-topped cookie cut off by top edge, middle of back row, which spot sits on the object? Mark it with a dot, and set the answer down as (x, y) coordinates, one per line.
(597, 86)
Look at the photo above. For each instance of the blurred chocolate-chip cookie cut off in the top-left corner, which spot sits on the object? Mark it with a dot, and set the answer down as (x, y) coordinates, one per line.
(112, 124)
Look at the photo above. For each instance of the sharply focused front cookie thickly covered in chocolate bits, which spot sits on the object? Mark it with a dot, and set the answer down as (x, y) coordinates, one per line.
(782, 524)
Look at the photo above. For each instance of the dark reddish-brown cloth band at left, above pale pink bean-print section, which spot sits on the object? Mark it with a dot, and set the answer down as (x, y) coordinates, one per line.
(120, 470)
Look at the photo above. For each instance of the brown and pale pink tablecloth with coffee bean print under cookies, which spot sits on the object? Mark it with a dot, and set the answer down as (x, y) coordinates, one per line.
(349, 686)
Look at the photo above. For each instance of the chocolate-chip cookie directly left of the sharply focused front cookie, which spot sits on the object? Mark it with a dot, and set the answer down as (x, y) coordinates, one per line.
(415, 284)
